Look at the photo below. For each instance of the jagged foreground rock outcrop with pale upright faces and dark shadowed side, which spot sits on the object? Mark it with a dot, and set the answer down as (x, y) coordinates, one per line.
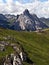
(18, 57)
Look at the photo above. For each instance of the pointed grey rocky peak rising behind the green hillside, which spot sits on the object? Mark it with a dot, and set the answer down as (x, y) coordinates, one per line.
(28, 22)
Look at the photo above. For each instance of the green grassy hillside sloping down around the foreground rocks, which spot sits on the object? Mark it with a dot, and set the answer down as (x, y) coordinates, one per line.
(36, 45)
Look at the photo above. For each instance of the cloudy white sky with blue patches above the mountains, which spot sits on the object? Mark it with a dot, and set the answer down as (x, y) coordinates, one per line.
(38, 7)
